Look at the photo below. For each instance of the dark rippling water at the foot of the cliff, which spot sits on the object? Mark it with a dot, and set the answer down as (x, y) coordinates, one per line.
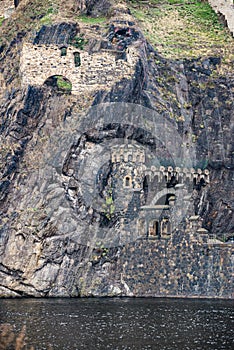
(123, 323)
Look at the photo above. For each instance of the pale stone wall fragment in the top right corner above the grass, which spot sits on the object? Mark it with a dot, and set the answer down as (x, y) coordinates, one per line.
(226, 9)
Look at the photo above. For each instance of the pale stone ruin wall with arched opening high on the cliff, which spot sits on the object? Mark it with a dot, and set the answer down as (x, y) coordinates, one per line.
(97, 71)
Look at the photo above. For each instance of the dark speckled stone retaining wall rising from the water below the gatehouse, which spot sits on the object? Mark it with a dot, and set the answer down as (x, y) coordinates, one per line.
(187, 265)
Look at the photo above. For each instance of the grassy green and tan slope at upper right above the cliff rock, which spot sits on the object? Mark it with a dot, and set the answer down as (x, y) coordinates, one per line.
(181, 29)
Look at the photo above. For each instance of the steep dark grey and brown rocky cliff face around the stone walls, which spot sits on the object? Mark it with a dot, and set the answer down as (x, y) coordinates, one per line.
(54, 143)
